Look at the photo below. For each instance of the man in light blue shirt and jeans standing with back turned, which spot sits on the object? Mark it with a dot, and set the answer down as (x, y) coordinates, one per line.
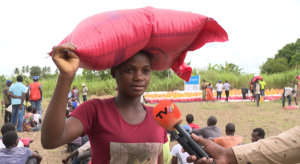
(17, 92)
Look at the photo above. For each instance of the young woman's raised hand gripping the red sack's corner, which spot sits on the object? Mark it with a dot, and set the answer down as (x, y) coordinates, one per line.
(65, 58)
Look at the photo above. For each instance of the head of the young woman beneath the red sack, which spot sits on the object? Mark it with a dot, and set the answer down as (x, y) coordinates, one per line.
(133, 75)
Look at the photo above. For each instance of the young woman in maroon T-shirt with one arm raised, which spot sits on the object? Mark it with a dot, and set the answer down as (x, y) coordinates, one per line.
(104, 120)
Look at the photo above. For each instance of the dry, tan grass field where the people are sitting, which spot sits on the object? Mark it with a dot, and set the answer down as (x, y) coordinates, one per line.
(245, 115)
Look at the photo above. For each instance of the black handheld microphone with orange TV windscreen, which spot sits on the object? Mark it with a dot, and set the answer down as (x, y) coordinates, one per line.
(168, 116)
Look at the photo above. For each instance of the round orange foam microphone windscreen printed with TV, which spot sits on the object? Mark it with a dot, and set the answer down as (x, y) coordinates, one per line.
(167, 115)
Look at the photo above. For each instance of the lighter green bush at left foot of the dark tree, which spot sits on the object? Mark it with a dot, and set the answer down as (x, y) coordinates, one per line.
(274, 66)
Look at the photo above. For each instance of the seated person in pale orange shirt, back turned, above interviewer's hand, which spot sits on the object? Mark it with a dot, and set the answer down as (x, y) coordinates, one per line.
(230, 140)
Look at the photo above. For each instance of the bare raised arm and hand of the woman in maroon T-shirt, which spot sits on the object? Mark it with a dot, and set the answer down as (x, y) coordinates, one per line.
(55, 130)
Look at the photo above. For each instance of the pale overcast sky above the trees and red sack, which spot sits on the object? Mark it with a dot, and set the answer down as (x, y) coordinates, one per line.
(256, 29)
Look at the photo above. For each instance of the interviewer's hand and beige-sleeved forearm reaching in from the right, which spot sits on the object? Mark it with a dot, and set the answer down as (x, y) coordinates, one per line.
(283, 148)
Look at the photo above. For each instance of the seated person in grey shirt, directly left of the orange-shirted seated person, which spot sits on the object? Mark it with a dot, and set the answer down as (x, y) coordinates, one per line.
(209, 131)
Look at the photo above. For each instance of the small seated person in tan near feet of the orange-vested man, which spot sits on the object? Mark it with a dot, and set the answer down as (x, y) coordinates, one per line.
(28, 122)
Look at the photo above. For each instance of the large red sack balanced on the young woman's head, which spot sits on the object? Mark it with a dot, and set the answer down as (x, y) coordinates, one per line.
(107, 39)
